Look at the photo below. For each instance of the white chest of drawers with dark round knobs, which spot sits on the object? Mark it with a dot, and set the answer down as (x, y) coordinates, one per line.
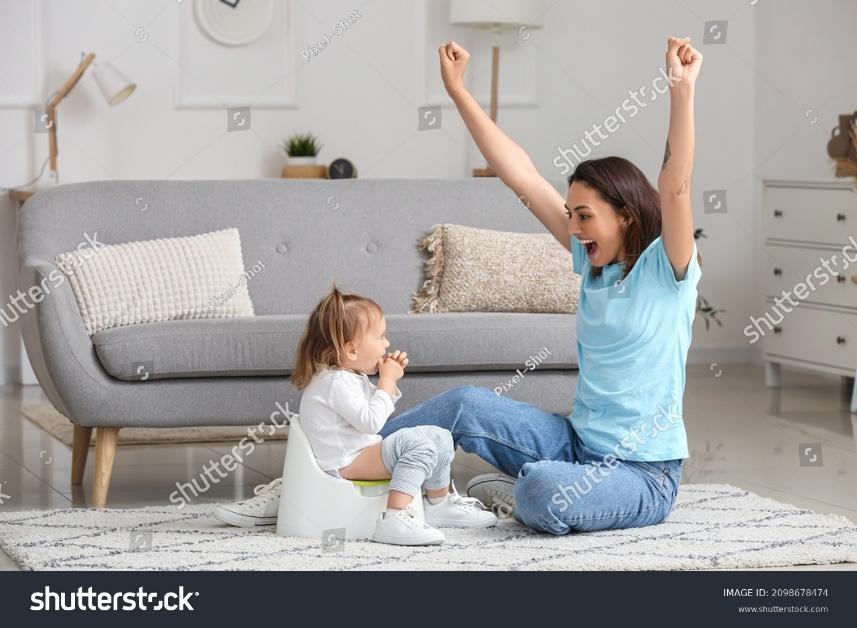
(810, 278)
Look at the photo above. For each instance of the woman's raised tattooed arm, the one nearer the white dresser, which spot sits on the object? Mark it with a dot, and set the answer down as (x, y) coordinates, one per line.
(683, 64)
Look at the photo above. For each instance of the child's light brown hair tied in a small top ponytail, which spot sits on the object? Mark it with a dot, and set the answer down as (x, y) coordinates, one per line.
(336, 320)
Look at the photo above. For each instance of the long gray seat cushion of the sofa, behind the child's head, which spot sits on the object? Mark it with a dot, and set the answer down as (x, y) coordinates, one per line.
(267, 345)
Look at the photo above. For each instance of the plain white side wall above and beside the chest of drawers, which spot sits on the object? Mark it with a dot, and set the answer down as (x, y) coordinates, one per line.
(806, 56)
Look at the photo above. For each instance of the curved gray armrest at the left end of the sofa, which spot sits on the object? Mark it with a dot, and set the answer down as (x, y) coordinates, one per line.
(57, 344)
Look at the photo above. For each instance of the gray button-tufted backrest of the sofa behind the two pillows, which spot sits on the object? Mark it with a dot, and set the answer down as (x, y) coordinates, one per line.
(302, 234)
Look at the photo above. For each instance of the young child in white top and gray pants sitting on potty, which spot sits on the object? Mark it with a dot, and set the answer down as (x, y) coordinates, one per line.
(341, 412)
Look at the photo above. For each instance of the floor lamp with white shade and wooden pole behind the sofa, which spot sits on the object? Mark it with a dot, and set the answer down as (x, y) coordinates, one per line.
(496, 16)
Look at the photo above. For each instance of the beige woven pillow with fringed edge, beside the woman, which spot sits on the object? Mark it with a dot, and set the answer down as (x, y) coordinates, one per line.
(480, 270)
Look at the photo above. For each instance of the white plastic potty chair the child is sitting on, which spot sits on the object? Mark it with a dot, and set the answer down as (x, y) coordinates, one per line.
(314, 503)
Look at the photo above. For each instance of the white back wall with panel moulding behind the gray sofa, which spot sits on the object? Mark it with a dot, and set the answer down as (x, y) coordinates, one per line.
(361, 96)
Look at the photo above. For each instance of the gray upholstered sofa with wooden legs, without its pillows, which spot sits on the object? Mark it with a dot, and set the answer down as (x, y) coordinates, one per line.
(361, 233)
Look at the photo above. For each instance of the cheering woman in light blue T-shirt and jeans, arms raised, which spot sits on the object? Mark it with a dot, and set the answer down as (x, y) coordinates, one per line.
(615, 462)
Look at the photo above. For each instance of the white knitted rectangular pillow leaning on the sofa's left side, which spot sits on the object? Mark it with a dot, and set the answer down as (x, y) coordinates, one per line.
(159, 280)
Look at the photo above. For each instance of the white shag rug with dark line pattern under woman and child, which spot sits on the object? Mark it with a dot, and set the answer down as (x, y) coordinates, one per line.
(713, 526)
